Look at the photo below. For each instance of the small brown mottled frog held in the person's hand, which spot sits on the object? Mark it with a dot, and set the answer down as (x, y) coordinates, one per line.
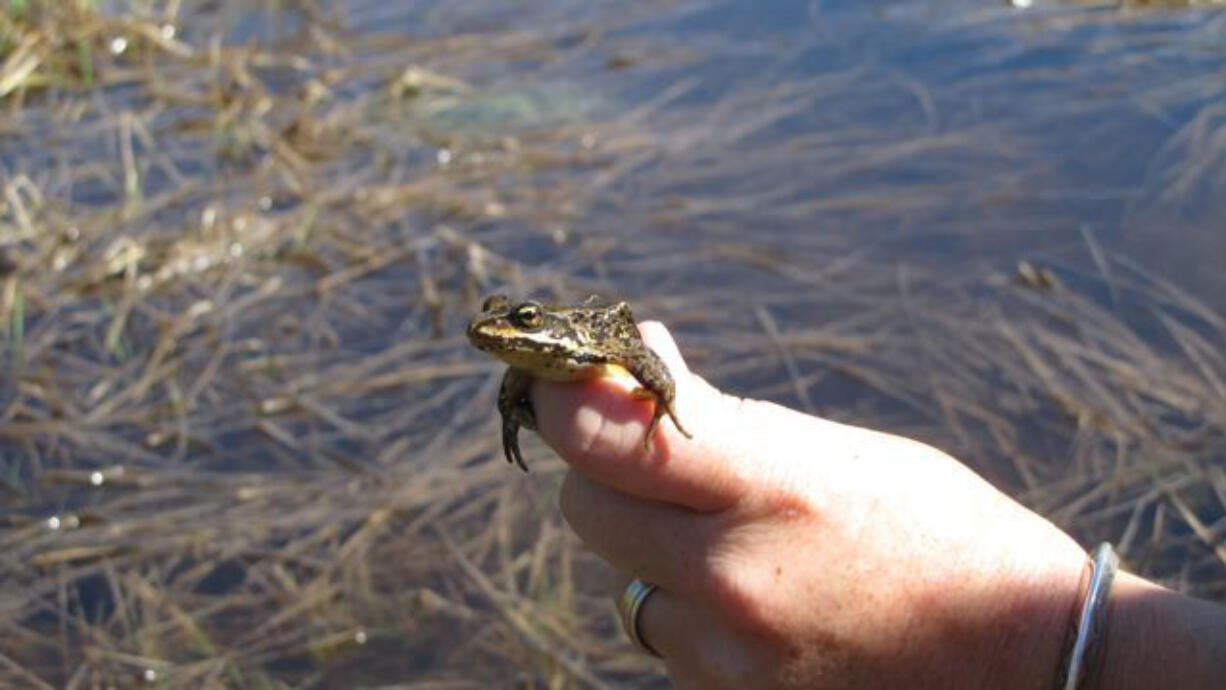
(596, 338)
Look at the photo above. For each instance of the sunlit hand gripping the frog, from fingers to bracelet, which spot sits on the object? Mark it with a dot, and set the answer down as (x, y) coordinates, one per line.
(795, 552)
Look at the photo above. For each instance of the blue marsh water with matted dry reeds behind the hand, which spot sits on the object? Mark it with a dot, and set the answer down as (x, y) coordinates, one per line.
(243, 443)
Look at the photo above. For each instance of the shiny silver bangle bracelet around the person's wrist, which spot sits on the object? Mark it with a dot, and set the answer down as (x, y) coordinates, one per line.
(1092, 620)
